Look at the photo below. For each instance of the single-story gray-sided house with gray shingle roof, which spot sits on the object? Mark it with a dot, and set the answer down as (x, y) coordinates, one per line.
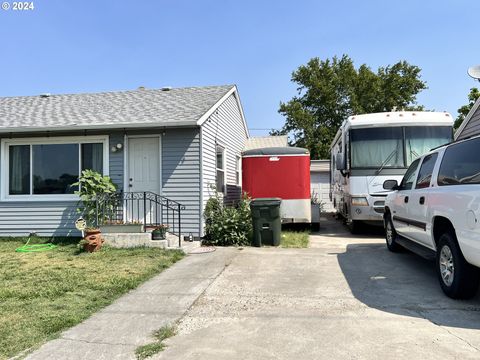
(181, 144)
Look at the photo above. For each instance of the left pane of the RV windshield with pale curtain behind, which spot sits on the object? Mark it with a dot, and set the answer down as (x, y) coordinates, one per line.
(377, 147)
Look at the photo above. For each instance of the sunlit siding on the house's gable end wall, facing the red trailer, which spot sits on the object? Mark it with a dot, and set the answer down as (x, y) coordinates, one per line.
(225, 127)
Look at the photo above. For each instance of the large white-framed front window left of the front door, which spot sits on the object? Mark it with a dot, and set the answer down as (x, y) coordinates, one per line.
(50, 167)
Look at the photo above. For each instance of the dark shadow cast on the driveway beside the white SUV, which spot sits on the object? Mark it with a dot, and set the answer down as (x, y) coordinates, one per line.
(403, 284)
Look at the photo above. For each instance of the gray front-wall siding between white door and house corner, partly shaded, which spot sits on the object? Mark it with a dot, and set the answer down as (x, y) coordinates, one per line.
(181, 174)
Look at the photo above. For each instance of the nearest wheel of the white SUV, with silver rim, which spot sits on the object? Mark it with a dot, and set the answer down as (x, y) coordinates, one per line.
(458, 279)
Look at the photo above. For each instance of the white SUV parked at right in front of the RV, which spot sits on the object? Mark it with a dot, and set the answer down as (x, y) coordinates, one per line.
(435, 212)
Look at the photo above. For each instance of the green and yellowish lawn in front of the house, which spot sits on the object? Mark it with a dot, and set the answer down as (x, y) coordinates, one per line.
(42, 294)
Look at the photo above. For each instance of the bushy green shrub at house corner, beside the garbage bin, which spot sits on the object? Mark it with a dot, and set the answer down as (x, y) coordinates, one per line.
(228, 225)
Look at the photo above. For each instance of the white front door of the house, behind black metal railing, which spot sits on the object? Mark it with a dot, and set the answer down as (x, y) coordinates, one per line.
(143, 179)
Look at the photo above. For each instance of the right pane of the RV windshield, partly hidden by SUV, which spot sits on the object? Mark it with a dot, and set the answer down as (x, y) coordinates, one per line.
(421, 139)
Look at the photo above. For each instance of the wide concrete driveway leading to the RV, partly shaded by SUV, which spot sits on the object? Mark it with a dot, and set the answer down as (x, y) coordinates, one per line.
(346, 297)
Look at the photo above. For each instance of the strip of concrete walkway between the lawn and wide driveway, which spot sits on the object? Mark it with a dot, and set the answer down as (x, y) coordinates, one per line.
(116, 331)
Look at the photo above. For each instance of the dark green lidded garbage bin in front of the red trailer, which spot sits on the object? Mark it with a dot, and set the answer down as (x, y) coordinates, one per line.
(267, 224)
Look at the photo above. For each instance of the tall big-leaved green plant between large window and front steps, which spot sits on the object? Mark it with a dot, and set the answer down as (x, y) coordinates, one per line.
(92, 185)
